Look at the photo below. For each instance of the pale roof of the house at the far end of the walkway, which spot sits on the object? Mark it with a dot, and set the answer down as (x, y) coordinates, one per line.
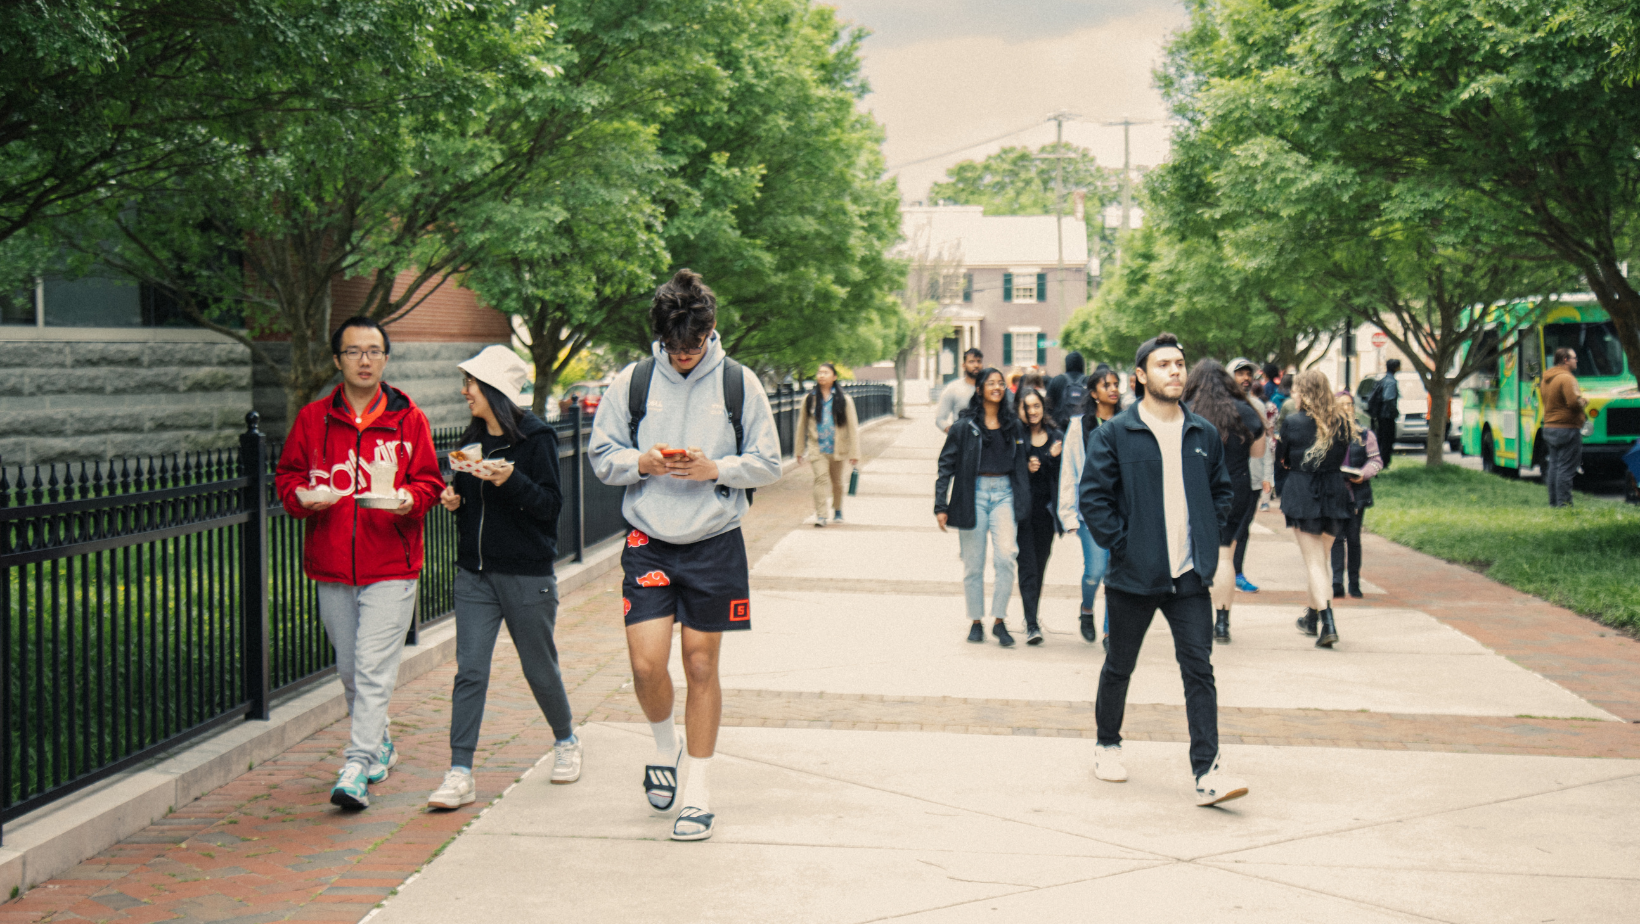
(991, 240)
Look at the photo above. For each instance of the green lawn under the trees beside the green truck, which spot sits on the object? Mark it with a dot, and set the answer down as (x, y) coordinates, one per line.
(1585, 559)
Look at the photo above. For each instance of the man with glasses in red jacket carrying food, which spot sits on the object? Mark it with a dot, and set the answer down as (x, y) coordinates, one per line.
(360, 469)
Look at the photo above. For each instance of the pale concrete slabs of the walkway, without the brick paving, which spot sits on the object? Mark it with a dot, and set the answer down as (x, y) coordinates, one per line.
(822, 823)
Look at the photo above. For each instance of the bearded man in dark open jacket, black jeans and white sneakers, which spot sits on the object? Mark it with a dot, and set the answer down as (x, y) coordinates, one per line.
(1157, 493)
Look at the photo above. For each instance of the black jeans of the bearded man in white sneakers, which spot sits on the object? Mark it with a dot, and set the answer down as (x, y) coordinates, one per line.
(1190, 615)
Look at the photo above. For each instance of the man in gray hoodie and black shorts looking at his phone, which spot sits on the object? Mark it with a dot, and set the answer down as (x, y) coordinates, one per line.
(686, 472)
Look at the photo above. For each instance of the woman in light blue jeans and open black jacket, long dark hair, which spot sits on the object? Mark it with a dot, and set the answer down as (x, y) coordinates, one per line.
(983, 490)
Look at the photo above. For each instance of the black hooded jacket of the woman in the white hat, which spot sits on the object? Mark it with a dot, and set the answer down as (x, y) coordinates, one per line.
(512, 529)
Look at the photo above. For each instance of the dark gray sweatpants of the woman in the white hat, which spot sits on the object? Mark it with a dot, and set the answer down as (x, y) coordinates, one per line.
(529, 605)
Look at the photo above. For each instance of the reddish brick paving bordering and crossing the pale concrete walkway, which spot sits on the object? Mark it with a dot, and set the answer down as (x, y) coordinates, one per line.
(270, 846)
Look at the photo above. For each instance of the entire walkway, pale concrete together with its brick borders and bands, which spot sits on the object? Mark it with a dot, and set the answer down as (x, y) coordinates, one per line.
(1441, 766)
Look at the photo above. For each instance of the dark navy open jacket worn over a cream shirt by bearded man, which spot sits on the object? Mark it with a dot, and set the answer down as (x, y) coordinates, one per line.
(1123, 500)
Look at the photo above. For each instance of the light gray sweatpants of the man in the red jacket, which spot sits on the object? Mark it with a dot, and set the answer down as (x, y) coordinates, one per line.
(368, 628)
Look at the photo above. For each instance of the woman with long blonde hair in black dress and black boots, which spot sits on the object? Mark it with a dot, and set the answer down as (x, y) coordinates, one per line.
(1311, 447)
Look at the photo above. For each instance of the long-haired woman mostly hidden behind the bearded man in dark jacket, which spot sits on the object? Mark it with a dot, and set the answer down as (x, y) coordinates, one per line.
(1213, 393)
